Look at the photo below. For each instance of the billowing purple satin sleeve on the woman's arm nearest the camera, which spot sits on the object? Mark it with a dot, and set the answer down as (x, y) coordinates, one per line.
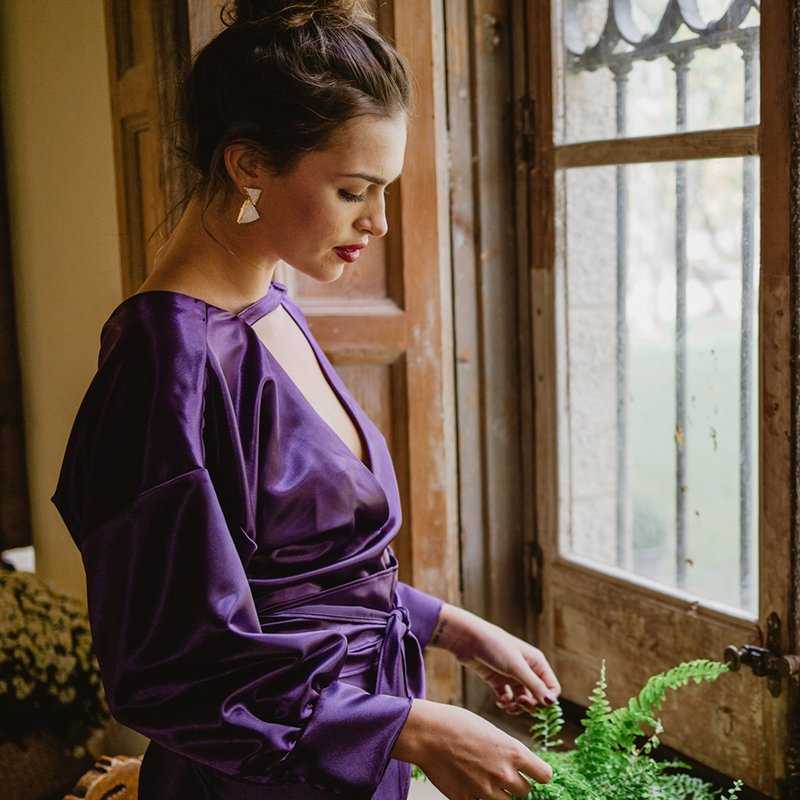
(184, 658)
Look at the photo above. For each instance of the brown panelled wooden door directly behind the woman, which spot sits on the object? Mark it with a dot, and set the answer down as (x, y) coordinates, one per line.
(386, 324)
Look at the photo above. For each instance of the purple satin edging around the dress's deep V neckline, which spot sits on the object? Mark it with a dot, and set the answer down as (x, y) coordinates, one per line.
(252, 314)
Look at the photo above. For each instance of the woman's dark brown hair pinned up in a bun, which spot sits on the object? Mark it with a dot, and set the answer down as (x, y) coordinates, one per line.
(283, 76)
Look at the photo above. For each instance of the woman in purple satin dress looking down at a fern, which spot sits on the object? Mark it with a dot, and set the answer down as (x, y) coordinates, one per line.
(233, 504)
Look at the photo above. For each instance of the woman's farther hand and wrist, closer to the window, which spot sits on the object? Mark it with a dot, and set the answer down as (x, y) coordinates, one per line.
(517, 672)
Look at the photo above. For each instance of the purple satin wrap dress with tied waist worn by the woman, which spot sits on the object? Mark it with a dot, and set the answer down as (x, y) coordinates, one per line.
(243, 593)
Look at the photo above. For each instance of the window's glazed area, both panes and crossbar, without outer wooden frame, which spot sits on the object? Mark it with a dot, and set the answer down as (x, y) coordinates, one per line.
(658, 298)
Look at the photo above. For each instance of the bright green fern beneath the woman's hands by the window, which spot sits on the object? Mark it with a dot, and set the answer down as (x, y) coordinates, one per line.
(606, 762)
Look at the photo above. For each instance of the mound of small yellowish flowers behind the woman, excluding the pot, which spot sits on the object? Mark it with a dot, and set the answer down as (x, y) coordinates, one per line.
(49, 675)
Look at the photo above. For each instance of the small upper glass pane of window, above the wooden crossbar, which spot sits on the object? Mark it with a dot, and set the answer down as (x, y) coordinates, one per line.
(659, 77)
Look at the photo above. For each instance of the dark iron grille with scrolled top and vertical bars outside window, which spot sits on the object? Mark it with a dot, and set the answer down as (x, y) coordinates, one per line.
(621, 43)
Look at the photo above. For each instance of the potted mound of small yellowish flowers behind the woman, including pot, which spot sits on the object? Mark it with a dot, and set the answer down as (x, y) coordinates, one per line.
(53, 710)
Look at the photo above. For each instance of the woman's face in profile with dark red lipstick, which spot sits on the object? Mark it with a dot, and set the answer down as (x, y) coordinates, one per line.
(333, 198)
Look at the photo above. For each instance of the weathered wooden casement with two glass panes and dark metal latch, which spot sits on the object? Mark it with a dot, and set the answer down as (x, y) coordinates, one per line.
(666, 488)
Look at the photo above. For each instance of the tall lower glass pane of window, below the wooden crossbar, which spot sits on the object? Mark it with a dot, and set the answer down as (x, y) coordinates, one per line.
(658, 399)
